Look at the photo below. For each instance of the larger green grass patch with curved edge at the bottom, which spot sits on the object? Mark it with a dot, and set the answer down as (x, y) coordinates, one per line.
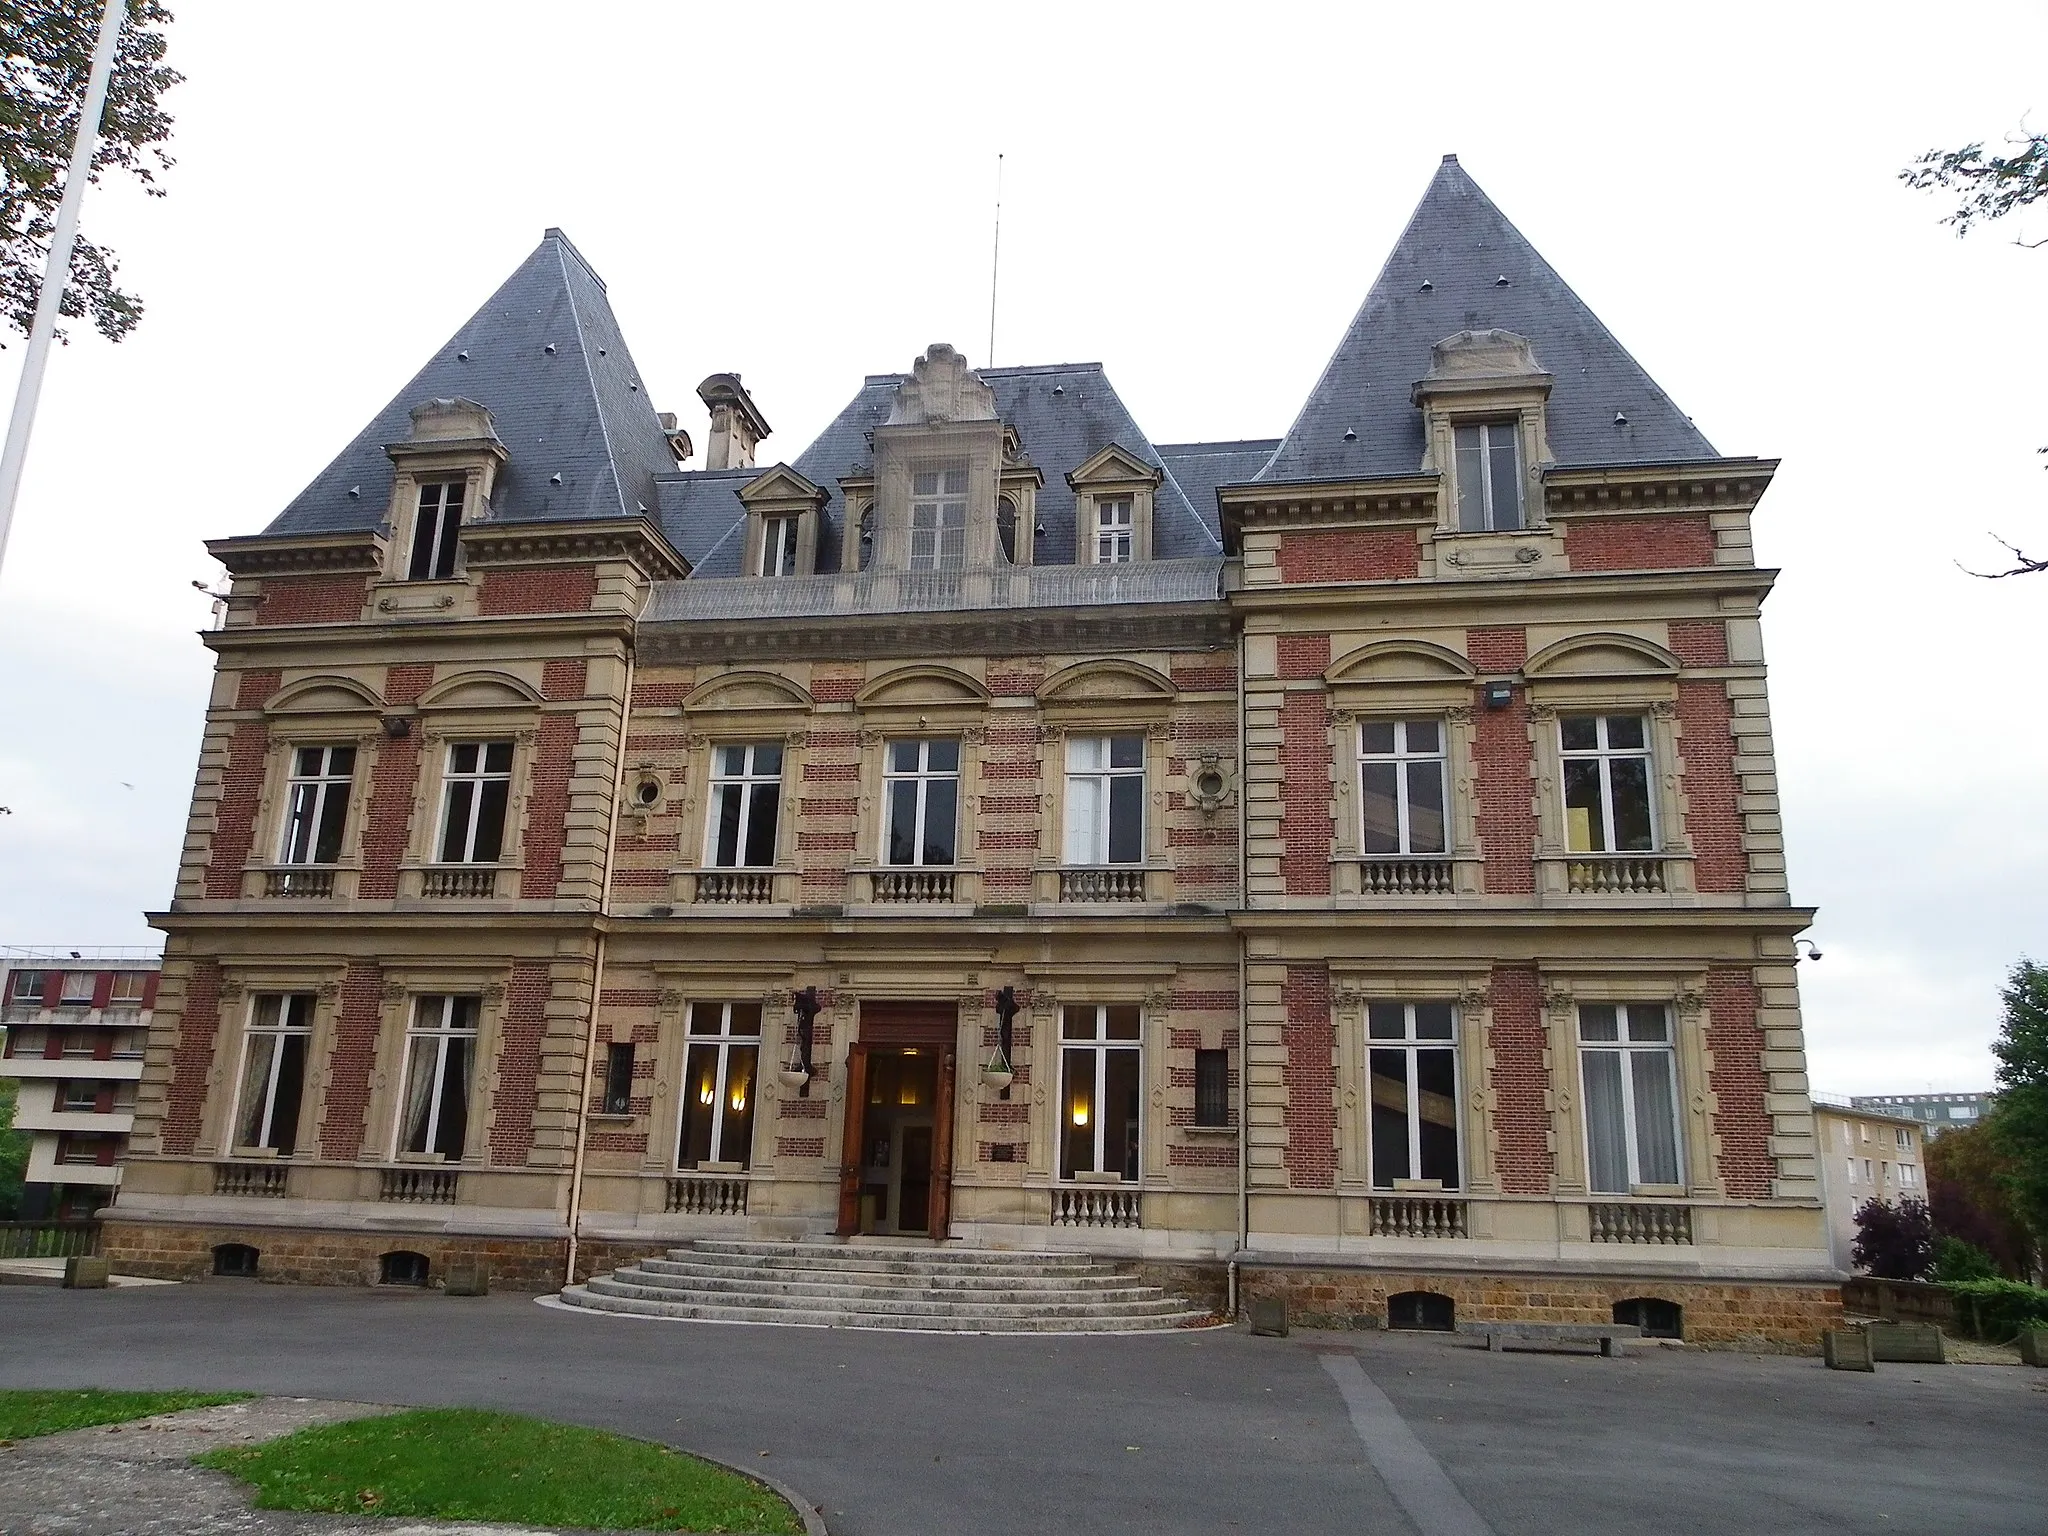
(474, 1465)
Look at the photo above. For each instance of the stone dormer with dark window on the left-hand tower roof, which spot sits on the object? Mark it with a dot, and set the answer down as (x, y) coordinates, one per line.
(445, 478)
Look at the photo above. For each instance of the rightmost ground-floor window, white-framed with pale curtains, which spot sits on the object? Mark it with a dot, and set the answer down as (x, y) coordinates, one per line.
(1631, 1097)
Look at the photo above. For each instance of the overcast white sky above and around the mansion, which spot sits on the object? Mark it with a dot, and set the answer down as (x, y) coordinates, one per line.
(1199, 198)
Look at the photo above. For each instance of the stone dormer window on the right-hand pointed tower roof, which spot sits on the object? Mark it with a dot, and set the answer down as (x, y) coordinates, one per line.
(1486, 431)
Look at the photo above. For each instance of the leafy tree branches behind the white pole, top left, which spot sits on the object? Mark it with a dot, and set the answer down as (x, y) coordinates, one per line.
(46, 54)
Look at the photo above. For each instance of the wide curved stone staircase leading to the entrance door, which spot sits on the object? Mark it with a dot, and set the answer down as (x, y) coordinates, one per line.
(888, 1287)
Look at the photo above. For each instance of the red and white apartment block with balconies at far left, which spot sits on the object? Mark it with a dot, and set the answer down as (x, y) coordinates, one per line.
(75, 1027)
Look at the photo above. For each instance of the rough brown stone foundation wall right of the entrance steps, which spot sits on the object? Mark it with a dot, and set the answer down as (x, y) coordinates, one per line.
(1777, 1318)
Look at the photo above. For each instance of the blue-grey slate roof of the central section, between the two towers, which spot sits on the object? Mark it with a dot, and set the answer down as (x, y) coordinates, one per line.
(1064, 415)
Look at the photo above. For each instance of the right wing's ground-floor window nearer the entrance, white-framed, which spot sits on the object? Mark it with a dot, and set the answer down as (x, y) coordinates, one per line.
(1412, 1060)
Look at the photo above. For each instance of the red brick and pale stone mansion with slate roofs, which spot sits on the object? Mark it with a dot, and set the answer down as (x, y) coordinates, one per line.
(1342, 865)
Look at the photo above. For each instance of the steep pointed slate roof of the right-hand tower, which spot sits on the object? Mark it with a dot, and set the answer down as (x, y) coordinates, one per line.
(1445, 275)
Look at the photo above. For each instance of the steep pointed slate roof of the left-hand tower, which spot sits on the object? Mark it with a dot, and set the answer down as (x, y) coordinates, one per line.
(546, 357)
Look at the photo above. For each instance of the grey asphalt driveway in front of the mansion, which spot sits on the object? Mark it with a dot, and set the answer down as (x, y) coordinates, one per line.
(1187, 1433)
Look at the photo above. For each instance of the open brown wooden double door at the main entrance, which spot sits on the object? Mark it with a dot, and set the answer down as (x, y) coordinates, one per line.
(898, 1148)
